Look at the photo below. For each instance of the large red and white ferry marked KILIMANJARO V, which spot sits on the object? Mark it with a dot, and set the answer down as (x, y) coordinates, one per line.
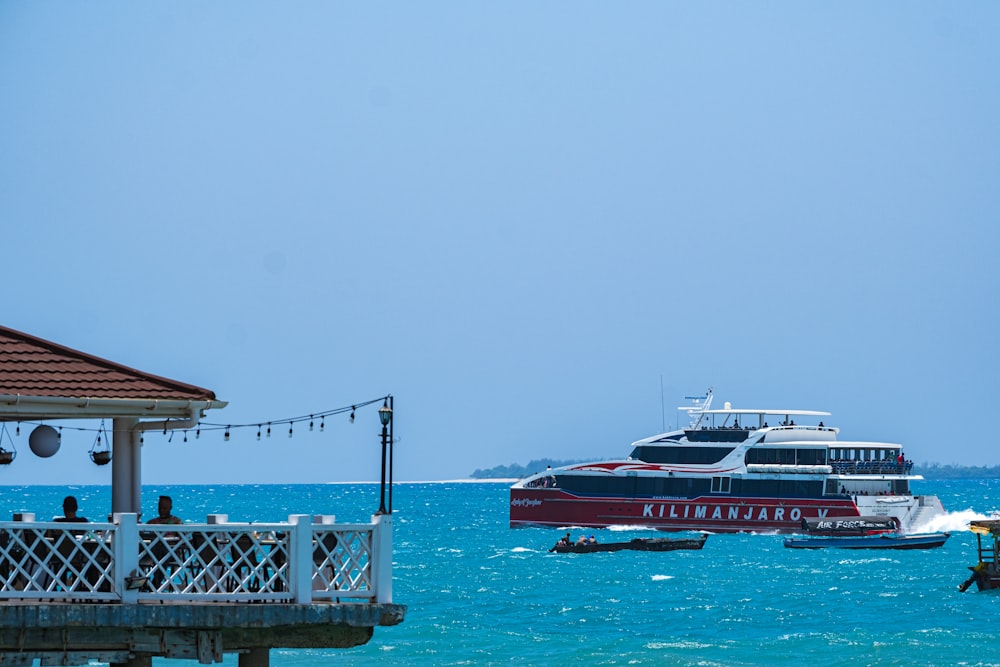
(730, 470)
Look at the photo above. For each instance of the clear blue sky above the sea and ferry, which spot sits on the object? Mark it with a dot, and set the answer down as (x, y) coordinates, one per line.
(514, 217)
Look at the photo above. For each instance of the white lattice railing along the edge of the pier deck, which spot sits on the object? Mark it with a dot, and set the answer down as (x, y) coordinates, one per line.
(295, 562)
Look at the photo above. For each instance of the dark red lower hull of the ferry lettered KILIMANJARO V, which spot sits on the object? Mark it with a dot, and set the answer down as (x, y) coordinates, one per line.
(552, 507)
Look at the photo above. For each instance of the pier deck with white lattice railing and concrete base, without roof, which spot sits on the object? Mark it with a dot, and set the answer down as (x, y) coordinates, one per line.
(122, 592)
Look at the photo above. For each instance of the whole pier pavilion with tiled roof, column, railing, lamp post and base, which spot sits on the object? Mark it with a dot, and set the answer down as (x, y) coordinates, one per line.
(124, 592)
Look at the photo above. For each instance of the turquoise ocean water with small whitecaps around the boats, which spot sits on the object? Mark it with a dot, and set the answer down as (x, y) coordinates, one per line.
(480, 593)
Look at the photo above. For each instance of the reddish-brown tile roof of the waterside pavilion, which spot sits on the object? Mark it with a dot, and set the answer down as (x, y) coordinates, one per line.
(31, 366)
